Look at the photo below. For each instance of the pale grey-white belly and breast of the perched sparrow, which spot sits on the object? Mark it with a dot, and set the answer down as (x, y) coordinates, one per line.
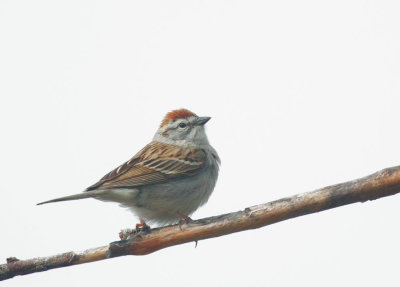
(164, 203)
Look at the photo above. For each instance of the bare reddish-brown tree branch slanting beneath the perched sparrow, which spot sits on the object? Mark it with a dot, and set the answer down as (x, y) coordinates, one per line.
(383, 183)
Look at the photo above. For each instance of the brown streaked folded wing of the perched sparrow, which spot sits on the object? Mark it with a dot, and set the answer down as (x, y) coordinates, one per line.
(155, 163)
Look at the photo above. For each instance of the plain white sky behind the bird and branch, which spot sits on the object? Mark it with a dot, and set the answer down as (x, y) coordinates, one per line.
(303, 94)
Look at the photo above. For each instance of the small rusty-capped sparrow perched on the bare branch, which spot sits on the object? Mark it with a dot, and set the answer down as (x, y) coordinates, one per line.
(166, 181)
